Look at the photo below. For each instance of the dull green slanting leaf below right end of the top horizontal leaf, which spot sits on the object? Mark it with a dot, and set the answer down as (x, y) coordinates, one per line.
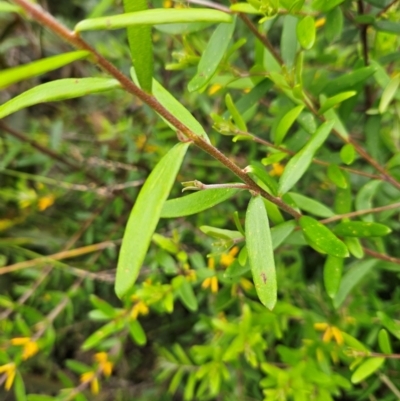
(212, 55)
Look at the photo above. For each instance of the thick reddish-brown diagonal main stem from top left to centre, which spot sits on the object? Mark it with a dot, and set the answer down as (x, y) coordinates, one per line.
(43, 17)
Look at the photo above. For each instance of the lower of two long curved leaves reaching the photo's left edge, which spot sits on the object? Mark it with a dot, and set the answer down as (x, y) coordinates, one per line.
(58, 90)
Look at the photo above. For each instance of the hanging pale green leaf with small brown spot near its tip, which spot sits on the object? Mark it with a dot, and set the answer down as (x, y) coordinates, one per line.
(260, 252)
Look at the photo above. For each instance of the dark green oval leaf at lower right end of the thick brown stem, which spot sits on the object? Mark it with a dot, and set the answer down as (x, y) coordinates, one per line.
(323, 238)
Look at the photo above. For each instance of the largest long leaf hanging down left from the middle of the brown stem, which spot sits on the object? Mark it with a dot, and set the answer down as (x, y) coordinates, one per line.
(144, 218)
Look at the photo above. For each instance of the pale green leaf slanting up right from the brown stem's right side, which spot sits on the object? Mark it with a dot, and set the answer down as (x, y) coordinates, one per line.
(299, 163)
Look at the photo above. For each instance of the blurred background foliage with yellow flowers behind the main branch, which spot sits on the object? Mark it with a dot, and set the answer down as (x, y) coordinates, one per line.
(194, 329)
